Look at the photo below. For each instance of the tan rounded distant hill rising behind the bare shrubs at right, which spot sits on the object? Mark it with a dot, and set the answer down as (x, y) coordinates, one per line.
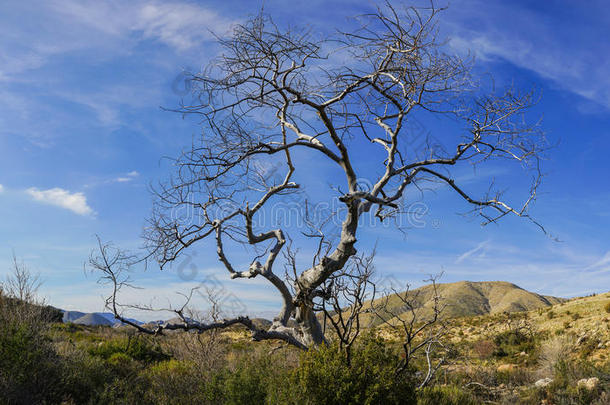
(468, 298)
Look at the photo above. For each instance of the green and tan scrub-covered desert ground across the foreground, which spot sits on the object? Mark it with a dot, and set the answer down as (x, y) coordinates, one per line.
(501, 358)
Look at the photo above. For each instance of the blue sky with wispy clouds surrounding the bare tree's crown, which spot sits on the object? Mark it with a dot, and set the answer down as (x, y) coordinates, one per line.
(82, 136)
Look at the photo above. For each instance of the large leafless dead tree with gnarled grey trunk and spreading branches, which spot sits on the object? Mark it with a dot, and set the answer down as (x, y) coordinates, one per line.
(277, 96)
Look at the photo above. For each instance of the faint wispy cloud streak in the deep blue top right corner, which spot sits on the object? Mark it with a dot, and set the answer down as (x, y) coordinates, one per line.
(533, 42)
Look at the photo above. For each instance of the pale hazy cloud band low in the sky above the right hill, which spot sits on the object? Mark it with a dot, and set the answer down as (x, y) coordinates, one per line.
(553, 269)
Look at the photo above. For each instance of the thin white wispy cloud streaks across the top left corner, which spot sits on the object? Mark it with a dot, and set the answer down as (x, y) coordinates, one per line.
(108, 27)
